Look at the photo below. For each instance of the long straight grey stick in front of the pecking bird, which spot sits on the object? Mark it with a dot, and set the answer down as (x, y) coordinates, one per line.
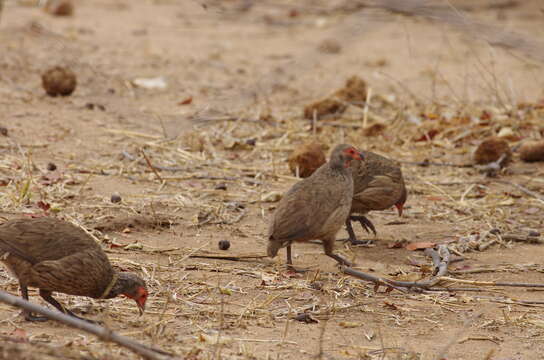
(103, 333)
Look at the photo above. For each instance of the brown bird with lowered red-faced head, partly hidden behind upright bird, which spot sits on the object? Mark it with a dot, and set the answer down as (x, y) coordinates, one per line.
(377, 185)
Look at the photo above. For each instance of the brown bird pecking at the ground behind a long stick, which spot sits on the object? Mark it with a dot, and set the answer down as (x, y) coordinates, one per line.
(54, 255)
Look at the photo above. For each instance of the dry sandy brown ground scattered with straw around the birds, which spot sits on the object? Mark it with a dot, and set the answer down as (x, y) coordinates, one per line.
(237, 76)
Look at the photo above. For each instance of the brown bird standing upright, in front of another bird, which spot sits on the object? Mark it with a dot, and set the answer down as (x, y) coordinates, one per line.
(316, 207)
